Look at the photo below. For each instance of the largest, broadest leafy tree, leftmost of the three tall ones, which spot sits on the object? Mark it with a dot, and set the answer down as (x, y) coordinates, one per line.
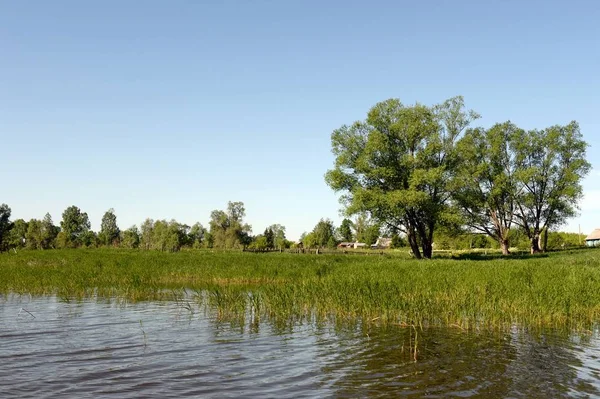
(397, 163)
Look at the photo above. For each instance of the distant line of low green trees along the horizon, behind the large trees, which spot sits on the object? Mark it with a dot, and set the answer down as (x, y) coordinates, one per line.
(227, 230)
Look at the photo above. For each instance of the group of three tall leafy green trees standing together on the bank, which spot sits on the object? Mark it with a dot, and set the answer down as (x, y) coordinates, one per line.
(417, 168)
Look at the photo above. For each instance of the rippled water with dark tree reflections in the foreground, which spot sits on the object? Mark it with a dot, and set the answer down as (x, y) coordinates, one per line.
(50, 348)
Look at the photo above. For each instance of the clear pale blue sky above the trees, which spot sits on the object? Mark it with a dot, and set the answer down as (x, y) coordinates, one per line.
(170, 109)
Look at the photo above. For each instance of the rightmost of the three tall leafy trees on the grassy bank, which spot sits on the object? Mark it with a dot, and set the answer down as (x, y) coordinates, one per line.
(551, 165)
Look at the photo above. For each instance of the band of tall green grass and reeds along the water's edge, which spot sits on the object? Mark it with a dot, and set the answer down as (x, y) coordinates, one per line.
(555, 290)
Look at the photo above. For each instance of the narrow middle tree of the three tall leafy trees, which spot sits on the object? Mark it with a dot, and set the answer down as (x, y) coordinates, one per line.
(484, 186)
